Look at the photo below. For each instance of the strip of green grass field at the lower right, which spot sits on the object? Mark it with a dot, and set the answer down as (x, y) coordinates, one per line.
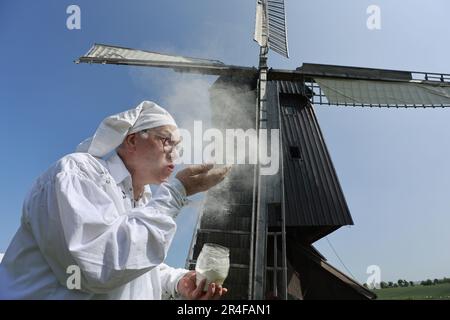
(437, 292)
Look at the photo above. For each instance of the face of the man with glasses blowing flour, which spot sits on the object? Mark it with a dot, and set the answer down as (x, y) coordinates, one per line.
(154, 153)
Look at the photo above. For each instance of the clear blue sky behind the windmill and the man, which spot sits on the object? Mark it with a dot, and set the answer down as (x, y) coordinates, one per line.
(393, 165)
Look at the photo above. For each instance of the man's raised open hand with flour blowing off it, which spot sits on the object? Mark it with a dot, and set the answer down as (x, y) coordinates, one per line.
(200, 178)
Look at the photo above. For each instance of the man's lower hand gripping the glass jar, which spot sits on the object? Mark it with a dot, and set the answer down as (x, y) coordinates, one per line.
(188, 290)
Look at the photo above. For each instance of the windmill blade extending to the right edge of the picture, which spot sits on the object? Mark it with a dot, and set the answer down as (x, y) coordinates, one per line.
(352, 86)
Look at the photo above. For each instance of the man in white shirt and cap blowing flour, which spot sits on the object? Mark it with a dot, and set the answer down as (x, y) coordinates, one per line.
(92, 215)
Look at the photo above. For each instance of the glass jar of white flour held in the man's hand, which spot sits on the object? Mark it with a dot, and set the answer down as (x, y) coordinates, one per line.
(213, 263)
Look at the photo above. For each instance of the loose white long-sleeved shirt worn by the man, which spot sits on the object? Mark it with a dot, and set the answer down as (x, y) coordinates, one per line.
(80, 213)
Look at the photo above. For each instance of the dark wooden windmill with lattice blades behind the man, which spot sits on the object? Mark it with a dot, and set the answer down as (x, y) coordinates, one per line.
(270, 222)
